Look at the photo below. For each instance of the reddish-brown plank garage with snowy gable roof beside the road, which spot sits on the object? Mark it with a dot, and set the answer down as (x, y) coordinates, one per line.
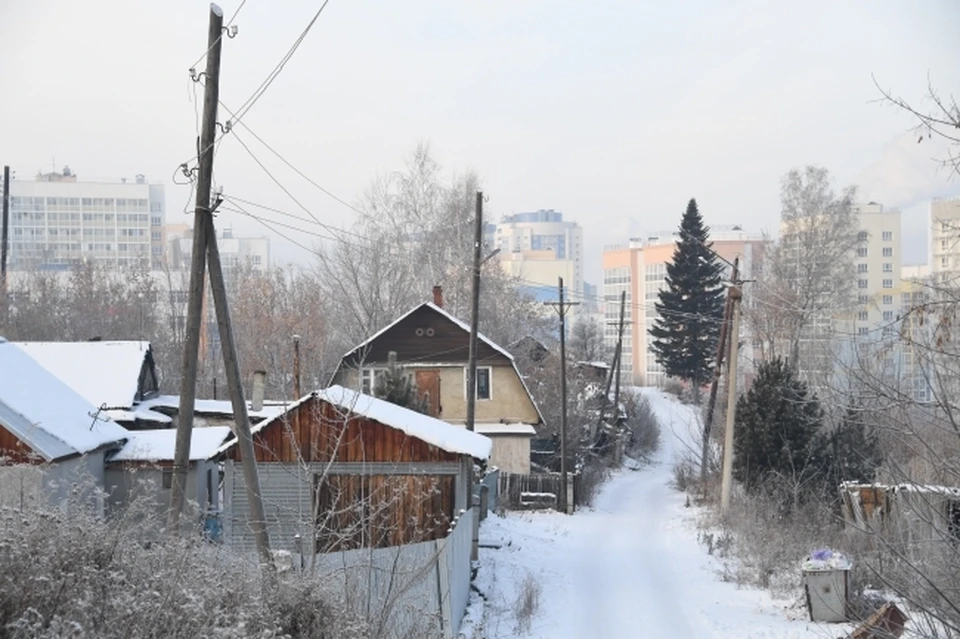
(343, 470)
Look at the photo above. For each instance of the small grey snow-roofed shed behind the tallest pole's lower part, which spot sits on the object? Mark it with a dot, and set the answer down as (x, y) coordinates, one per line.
(143, 468)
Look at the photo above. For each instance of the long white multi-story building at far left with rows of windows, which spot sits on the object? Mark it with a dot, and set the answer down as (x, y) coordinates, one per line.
(57, 220)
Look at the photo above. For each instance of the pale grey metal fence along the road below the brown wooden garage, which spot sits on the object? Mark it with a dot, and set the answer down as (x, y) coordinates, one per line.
(417, 590)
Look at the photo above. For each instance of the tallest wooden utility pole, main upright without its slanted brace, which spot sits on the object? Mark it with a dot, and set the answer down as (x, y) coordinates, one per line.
(188, 385)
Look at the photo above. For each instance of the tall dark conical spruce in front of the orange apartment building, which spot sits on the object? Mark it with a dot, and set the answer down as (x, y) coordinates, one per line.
(690, 307)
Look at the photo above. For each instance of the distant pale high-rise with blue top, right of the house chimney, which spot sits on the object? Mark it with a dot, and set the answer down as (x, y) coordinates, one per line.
(539, 247)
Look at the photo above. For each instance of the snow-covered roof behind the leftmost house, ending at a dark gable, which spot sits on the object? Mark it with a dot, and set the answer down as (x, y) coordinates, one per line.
(101, 372)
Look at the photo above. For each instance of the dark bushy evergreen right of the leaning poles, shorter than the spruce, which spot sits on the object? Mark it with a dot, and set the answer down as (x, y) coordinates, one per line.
(777, 422)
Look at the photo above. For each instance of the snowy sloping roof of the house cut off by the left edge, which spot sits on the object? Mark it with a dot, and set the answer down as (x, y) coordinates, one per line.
(45, 413)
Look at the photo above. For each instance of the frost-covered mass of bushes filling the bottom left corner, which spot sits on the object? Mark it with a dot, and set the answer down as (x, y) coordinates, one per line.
(69, 574)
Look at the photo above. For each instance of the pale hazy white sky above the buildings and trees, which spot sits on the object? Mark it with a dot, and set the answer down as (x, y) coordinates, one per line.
(615, 113)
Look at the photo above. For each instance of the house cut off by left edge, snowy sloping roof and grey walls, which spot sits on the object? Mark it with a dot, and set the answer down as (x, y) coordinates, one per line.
(51, 438)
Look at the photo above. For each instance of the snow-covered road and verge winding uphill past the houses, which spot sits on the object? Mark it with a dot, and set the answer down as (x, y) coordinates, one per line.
(630, 567)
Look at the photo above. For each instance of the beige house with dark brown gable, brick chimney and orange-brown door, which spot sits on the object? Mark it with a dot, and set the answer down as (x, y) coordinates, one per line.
(433, 346)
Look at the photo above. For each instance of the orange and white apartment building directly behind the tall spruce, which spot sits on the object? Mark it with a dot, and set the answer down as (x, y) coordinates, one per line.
(640, 268)
